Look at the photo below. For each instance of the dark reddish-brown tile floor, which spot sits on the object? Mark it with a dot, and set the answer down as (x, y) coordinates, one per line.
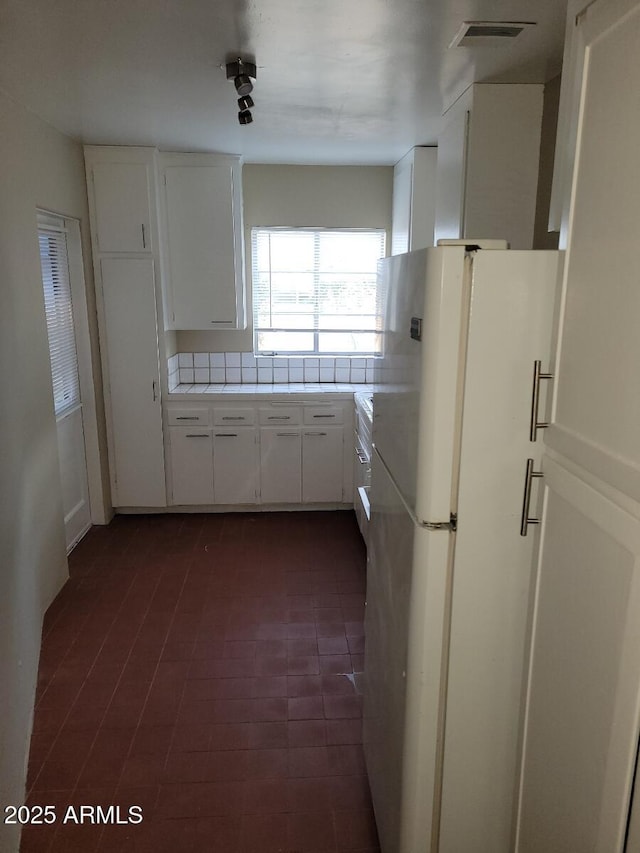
(201, 667)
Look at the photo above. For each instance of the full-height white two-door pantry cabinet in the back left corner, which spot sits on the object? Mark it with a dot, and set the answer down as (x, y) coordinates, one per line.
(122, 205)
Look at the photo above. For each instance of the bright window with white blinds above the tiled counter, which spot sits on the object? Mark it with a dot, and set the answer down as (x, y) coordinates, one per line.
(315, 291)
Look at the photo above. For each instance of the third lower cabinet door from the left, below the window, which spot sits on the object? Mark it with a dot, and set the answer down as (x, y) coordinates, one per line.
(280, 465)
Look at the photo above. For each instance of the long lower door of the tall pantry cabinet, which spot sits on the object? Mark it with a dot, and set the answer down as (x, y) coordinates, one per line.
(130, 350)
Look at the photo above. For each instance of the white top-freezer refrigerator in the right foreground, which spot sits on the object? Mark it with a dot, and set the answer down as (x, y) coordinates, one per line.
(467, 335)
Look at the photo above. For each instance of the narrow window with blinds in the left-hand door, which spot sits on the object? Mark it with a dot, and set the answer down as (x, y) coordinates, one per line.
(57, 302)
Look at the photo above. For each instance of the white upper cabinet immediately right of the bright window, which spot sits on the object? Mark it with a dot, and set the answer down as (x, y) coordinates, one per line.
(414, 200)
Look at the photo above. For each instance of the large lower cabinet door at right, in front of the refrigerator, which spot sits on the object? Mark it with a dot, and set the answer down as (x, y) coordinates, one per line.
(582, 711)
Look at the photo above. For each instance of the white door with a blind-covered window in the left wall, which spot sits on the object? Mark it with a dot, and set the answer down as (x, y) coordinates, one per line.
(56, 279)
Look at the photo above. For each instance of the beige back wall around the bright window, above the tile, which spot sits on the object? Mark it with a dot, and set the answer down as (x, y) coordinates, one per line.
(313, 196)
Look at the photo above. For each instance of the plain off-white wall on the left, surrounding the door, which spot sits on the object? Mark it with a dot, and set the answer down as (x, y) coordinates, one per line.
(38, 168)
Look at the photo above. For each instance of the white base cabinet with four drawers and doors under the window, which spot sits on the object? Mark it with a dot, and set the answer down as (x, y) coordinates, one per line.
(247, 454)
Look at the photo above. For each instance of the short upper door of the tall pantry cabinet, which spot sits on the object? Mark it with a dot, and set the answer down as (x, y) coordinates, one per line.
(122, 207)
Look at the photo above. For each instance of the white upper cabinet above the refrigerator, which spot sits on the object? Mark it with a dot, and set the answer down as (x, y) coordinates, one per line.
(488, 156)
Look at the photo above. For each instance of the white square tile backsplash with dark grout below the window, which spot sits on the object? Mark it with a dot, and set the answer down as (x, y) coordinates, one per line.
(210, 368)
